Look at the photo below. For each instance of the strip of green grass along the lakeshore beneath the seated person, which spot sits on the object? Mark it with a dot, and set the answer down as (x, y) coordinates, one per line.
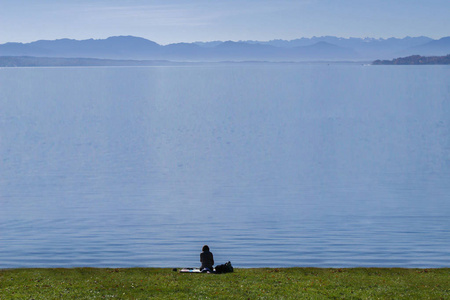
(289, 283)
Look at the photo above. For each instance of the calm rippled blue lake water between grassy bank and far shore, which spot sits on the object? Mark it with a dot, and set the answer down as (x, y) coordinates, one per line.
(271, 165)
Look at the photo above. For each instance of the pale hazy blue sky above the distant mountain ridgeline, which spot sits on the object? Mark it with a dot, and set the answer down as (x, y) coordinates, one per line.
(171, 21)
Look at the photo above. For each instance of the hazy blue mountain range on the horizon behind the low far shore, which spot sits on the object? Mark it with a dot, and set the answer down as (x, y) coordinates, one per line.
(303, 49)
